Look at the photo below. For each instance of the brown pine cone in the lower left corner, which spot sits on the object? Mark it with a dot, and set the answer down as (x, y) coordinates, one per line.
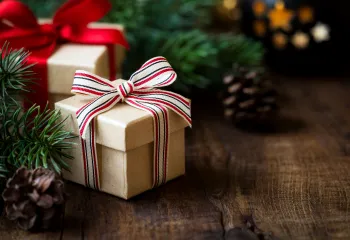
(34, 198)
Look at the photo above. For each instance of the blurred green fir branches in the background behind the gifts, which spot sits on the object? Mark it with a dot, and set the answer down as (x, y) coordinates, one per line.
(175, 29)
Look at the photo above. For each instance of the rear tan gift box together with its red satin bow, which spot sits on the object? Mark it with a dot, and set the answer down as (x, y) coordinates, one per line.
(60, 46)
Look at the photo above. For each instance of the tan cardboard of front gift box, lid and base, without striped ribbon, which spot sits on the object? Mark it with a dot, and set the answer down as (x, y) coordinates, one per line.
(124, 137)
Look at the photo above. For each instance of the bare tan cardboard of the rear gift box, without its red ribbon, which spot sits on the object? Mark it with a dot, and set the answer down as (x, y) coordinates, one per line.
(70, 57)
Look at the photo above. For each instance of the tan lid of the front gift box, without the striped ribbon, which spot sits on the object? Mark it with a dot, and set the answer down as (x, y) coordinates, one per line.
(122, 128)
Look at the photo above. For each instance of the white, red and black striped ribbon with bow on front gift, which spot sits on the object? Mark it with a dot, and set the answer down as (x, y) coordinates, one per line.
(140, 93)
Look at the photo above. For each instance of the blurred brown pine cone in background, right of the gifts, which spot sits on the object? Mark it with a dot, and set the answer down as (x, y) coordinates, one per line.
(248, 96)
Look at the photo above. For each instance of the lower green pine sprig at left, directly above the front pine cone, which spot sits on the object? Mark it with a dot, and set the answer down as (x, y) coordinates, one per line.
(35, 139)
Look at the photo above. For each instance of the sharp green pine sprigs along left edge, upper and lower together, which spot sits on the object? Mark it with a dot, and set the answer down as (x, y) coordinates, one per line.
(31, 138)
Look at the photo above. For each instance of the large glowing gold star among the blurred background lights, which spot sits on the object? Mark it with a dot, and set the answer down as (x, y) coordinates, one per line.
(280, 17)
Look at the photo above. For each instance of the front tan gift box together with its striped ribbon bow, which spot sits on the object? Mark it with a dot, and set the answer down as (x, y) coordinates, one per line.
(131, 134)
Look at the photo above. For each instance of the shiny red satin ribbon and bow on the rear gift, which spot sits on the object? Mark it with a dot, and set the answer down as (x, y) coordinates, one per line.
(20, 27)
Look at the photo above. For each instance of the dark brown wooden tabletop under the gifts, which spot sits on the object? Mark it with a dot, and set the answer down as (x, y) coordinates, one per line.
(294, 178)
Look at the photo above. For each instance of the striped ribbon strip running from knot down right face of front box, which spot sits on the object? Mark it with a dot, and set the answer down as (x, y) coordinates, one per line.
(160, 117)
